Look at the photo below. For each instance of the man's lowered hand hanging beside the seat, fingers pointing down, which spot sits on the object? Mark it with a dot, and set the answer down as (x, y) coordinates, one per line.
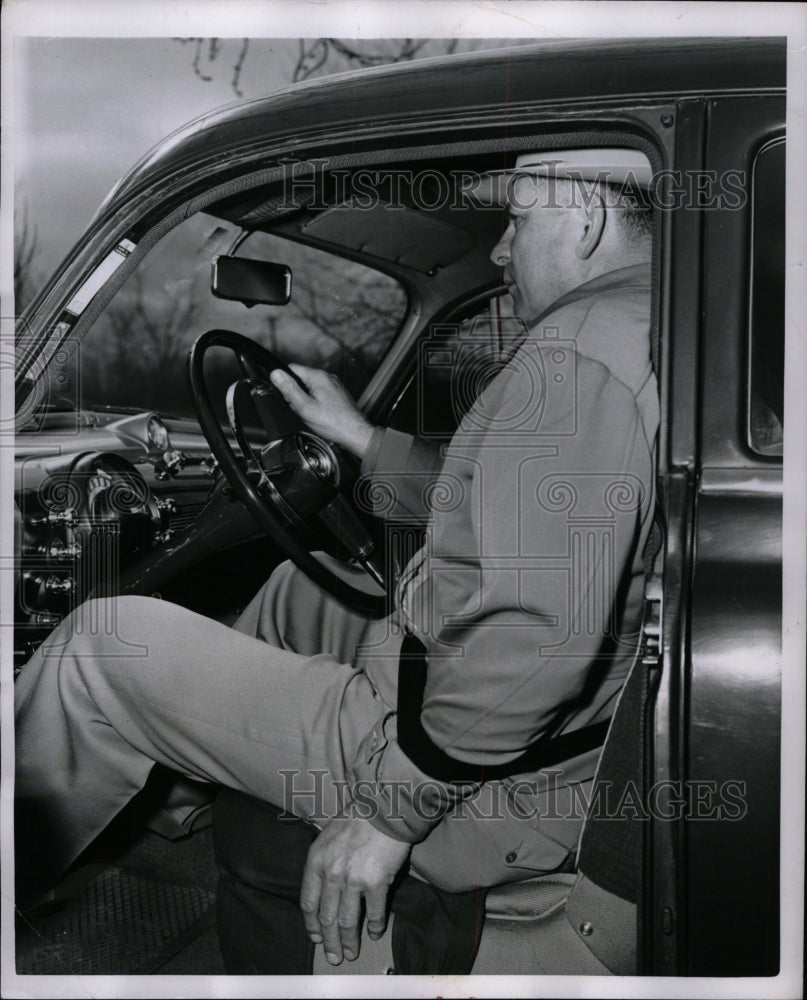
(349, 860)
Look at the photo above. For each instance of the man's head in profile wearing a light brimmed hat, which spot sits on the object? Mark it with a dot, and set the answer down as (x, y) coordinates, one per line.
(571, 216)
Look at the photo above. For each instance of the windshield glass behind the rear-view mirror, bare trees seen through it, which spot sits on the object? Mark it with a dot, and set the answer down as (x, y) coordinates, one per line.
(342, 317)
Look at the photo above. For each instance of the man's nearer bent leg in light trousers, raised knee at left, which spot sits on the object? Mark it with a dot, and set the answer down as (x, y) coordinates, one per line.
(95, 711)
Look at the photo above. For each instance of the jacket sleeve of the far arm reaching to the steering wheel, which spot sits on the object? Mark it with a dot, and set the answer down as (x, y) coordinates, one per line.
(397, 474)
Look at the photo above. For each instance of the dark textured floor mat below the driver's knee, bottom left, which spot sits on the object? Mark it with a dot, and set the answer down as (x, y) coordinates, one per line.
(120, 924)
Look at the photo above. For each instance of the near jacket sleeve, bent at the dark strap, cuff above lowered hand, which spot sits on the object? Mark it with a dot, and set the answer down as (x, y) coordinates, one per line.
(518, 608)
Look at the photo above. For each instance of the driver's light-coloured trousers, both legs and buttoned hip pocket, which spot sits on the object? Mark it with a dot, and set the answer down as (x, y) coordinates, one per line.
(273, 707)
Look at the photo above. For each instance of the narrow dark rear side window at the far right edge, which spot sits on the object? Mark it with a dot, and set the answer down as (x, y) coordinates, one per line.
(767, 309)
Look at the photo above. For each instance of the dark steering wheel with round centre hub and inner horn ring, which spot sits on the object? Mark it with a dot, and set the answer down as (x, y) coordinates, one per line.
(295, 484)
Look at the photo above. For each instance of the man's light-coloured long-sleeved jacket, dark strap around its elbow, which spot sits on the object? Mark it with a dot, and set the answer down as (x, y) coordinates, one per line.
(528, 591)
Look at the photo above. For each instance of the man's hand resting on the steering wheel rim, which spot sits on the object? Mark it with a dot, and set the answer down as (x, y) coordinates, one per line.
(327, 407)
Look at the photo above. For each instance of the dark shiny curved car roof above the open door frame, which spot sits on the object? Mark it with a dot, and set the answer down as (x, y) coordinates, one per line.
(505, 81)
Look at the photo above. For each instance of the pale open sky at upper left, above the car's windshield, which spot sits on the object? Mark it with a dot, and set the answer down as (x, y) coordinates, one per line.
(86, 109)
